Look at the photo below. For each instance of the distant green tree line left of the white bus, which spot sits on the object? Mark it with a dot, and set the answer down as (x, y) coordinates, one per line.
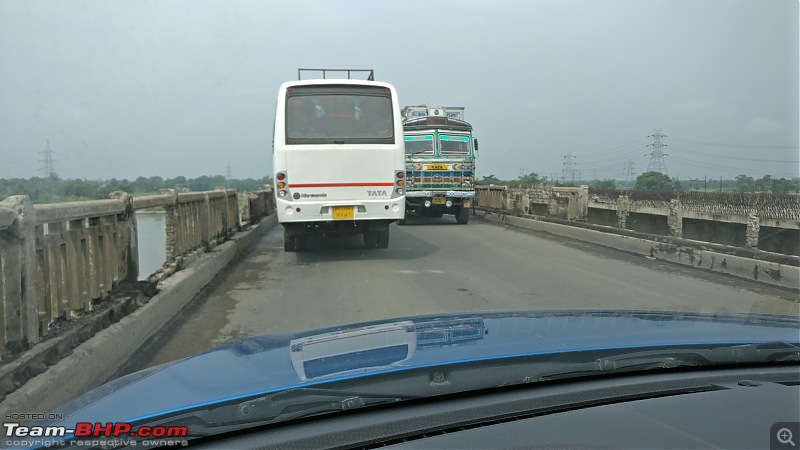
(56, 190)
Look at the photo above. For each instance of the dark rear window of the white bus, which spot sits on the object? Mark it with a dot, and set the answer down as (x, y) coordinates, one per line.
(345, 114)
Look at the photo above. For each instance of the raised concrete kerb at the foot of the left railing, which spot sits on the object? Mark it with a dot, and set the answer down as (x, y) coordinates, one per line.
(93, 362)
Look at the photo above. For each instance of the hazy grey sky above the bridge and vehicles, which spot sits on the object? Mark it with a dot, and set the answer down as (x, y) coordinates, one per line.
(182, 87)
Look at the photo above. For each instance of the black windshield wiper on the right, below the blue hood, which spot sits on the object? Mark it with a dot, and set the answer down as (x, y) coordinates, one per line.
(675, 357)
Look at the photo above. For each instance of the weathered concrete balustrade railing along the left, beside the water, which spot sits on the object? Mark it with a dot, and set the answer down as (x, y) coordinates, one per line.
(57, 260)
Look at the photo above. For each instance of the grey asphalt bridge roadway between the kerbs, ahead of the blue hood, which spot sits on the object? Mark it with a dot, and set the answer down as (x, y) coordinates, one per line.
(434, 266)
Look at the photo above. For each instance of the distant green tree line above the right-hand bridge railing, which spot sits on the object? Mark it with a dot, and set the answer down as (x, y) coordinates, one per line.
(656, 181)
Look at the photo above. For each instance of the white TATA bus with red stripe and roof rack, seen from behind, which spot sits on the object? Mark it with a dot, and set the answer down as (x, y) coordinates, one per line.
(339, 159)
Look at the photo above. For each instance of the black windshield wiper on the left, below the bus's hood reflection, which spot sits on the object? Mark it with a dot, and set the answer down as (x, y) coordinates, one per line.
(279, 407)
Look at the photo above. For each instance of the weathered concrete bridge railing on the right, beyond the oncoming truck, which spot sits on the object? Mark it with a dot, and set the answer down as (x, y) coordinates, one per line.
(765, 222)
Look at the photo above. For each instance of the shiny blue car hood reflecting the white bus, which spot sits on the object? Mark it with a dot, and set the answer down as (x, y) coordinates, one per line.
(267, 364)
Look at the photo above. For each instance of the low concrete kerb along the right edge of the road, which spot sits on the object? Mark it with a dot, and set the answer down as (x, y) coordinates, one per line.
(775, 274)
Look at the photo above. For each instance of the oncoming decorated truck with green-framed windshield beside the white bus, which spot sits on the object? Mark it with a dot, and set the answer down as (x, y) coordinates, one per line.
(440, 161)
